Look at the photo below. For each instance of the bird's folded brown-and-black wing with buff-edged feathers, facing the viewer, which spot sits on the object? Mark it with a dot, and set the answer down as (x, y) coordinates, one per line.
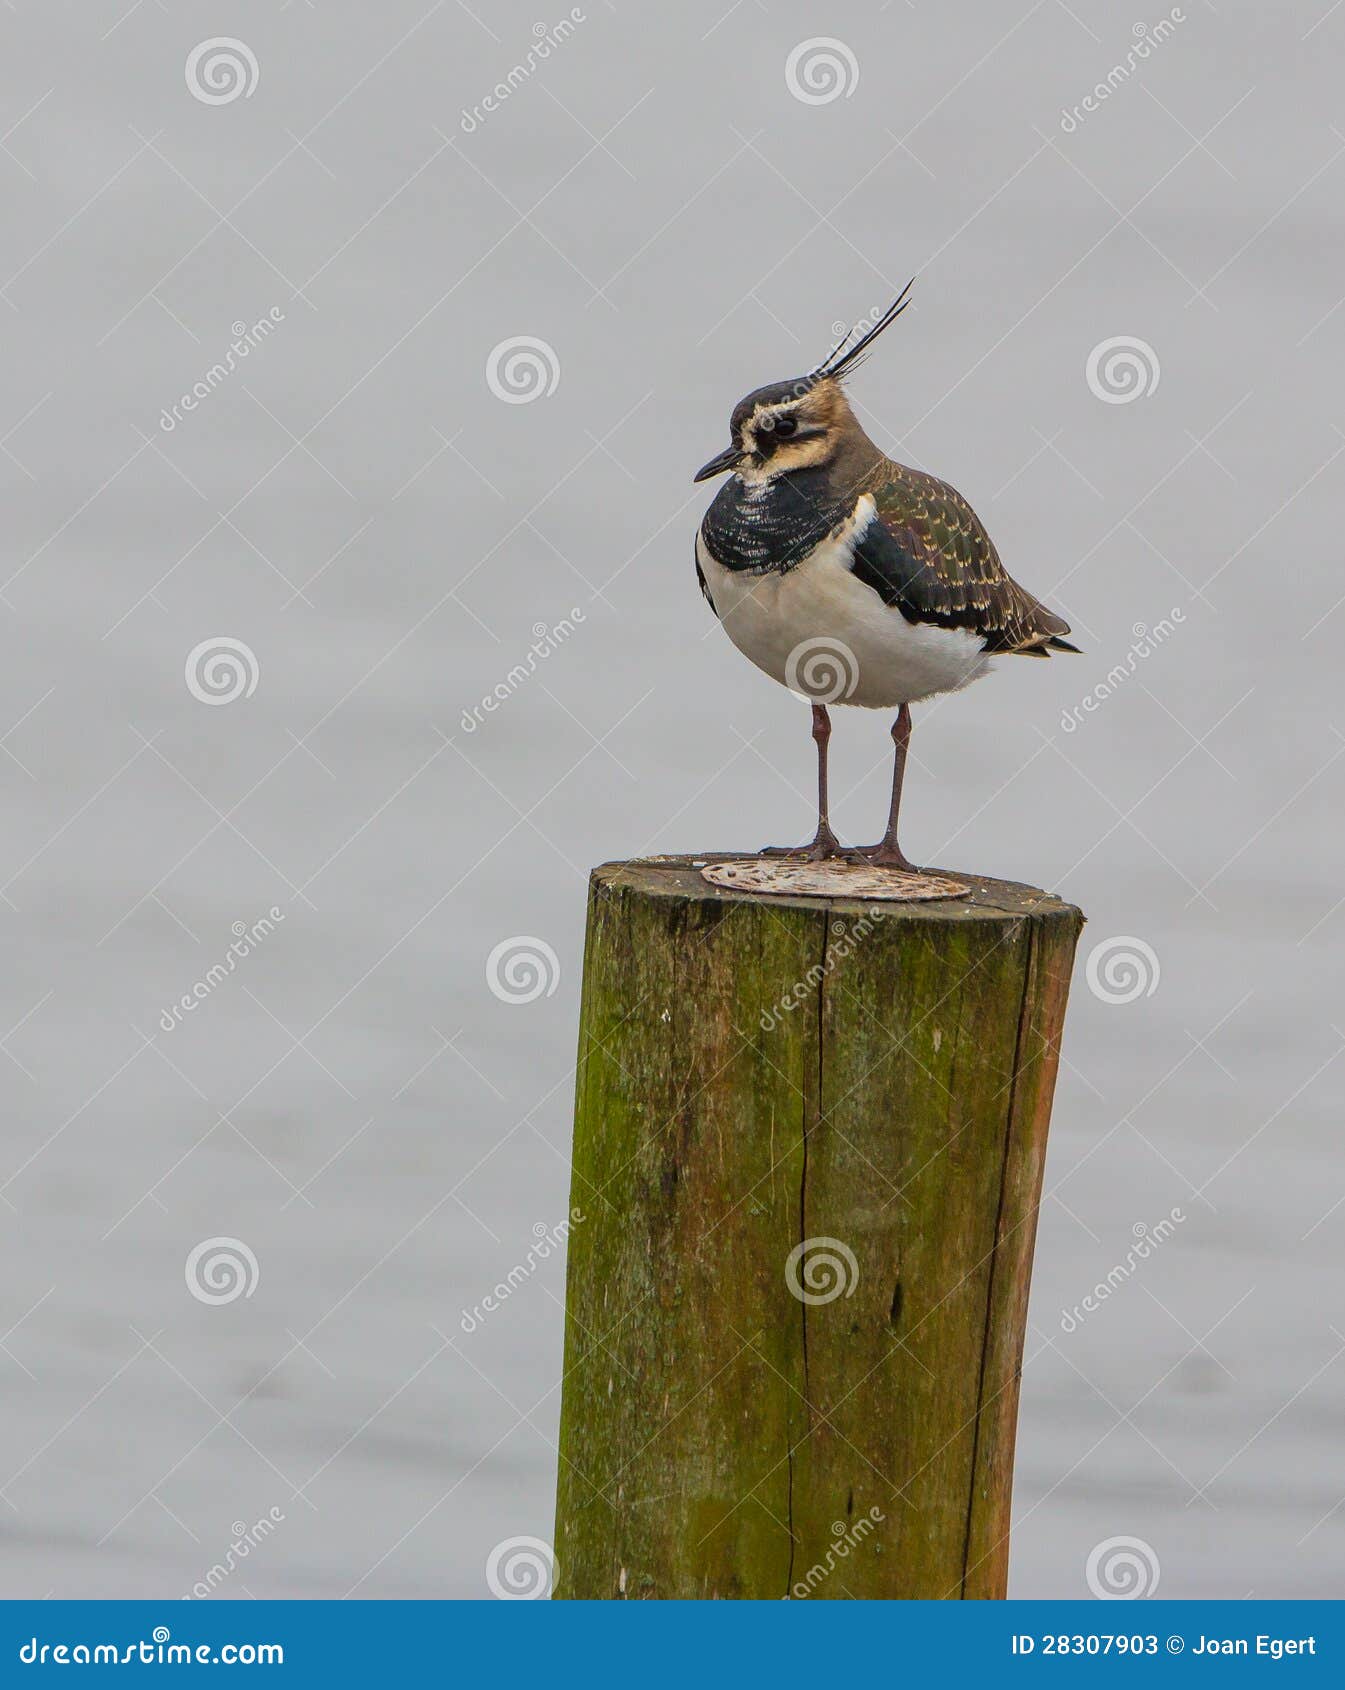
(928, 557)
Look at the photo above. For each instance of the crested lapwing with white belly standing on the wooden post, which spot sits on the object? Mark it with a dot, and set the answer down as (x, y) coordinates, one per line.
(852, 579)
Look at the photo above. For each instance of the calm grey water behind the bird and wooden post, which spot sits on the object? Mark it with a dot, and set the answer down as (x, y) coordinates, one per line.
(384, 535)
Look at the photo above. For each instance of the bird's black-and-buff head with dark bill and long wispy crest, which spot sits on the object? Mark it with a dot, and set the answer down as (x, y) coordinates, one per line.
(798, 425)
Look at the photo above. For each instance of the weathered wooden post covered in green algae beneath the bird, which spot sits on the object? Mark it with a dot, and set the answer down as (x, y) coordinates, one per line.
(809, 1155)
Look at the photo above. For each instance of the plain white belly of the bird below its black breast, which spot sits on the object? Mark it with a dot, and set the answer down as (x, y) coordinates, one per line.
(827, 636)
